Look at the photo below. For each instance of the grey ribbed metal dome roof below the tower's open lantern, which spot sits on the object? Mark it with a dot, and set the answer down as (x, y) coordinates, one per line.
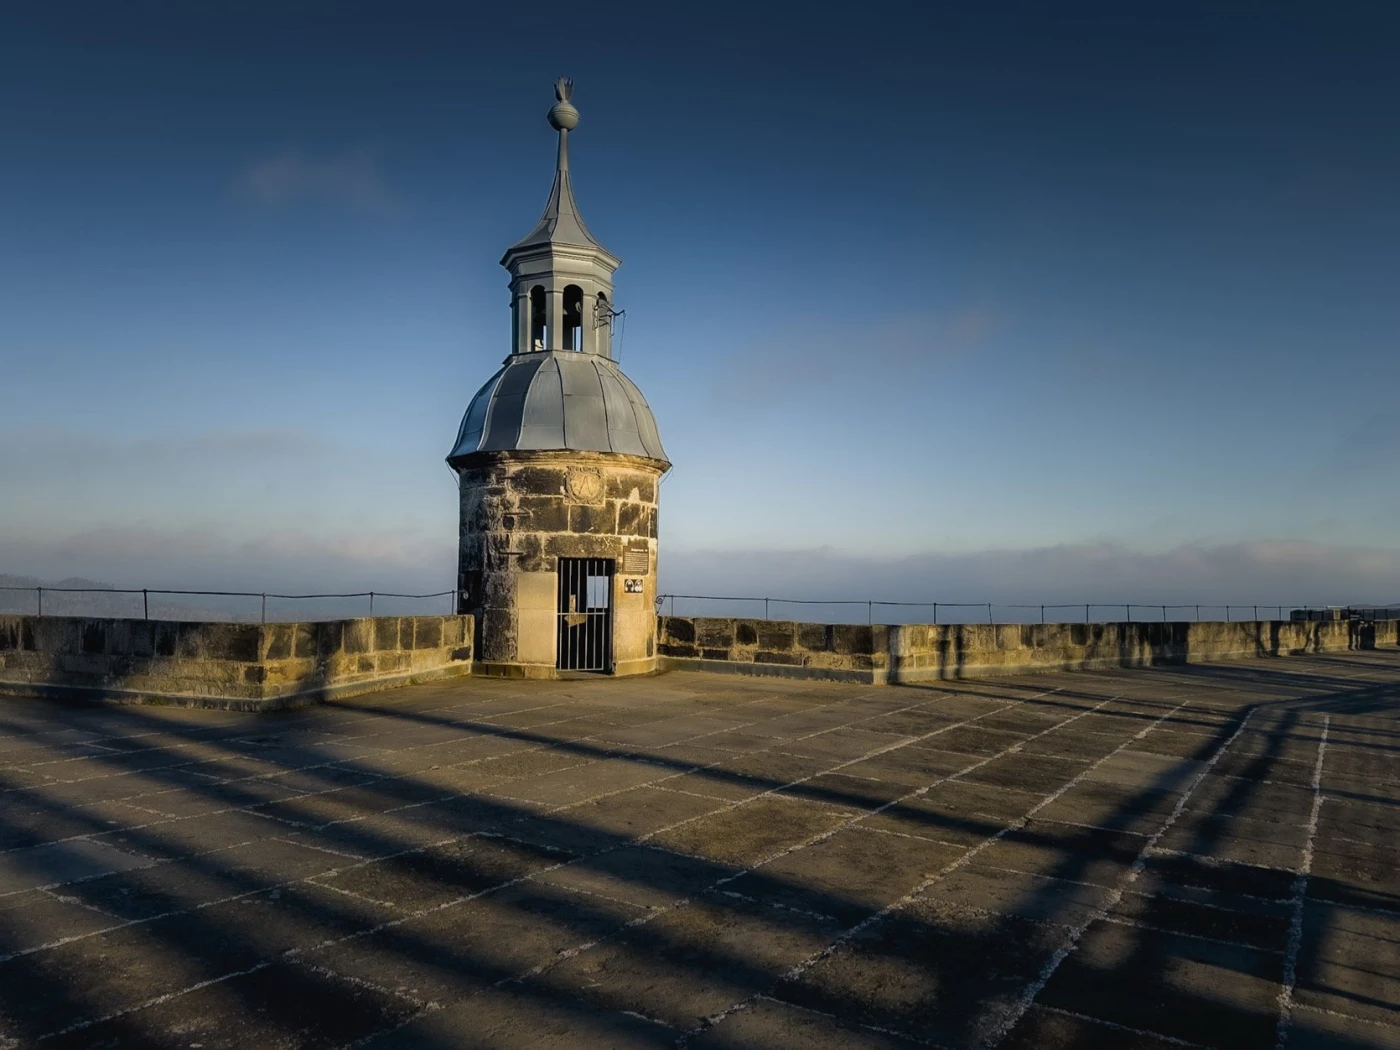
(558, 400)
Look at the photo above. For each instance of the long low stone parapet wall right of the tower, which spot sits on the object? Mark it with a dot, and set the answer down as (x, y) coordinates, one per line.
(918, 653)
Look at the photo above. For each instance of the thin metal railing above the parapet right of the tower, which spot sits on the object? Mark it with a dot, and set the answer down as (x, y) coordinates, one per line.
(1154, 611)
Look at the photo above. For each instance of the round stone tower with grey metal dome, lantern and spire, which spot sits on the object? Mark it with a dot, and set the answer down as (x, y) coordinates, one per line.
(559, 464)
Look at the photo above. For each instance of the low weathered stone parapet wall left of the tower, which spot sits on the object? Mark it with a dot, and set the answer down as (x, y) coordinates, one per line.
(248, 667)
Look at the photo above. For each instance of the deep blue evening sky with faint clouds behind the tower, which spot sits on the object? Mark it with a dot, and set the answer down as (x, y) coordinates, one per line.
(978, 297)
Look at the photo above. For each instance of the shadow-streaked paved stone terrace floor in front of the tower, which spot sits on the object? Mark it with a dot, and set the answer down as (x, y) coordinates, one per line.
(1140, 859)
